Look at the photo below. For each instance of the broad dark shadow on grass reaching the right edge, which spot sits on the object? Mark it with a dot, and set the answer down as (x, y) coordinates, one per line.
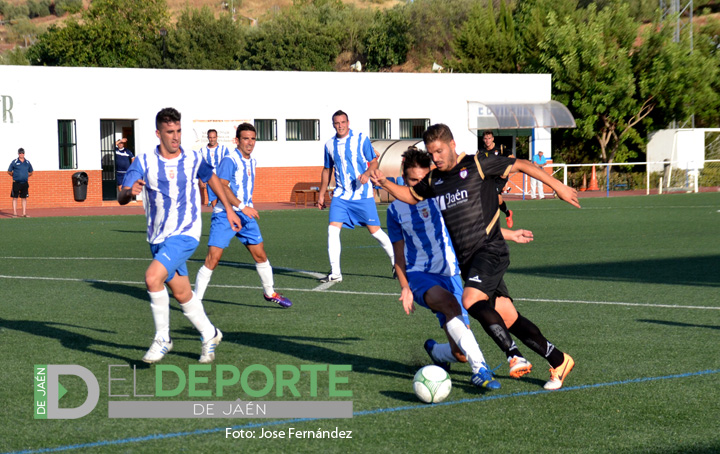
(699, 271)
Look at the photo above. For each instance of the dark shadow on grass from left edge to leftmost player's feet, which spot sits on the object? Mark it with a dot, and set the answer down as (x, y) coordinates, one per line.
(71, 339)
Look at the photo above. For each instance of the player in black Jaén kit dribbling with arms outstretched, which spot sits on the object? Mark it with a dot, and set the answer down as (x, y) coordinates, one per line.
(465, 187)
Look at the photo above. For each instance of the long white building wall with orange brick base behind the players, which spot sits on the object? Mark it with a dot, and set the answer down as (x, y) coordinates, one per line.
(35, 98)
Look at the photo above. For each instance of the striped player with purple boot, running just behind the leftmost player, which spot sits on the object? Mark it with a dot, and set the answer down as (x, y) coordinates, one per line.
(237, 176)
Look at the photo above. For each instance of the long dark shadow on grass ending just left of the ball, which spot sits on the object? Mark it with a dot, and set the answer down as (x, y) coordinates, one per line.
(303, 348)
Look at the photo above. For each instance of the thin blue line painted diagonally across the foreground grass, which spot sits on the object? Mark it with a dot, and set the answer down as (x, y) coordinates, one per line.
(359, 413)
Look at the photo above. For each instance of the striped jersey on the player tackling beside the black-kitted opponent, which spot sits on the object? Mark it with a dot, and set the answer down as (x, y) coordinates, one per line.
(427, 243)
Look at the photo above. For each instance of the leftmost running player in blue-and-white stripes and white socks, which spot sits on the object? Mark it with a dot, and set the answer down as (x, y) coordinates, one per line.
(168, 179)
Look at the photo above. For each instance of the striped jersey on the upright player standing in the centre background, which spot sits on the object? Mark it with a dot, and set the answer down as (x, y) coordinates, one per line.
(350, 156)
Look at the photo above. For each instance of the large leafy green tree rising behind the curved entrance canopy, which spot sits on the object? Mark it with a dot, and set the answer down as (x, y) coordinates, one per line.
(613, 84)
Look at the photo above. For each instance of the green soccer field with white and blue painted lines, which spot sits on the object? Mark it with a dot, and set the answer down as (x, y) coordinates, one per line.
(628, 286)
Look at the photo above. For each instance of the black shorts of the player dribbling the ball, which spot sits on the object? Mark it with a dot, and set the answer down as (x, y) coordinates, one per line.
(485, 272)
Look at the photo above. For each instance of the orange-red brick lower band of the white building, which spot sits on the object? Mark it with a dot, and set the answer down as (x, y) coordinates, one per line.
(54, 189)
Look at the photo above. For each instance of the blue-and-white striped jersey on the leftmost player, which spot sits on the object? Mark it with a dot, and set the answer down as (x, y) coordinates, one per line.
(171, 196)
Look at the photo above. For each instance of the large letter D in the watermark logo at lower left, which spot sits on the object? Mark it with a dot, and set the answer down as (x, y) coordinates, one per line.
(54, 371)
